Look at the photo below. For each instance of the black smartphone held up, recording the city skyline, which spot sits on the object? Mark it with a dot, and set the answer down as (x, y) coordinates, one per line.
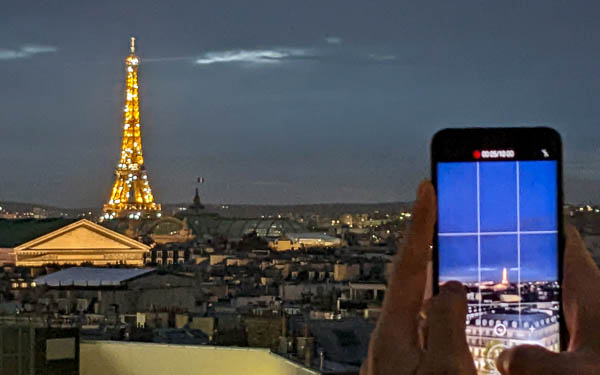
(499, 232)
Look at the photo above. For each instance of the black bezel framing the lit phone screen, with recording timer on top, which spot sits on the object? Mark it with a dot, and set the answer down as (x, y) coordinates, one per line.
(458, 144)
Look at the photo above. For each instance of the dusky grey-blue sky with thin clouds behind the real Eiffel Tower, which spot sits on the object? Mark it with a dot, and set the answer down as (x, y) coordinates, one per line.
(286, 101)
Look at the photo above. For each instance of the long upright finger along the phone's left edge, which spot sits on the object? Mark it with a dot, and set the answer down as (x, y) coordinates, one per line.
(407, 283)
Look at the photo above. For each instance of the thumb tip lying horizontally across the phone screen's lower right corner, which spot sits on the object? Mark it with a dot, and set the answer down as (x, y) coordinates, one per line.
(535, 360)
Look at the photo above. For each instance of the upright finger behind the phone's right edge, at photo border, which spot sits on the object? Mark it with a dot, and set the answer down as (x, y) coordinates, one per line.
(581, 289)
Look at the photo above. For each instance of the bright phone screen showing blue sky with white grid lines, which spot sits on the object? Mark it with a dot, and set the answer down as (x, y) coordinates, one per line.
(498, 235)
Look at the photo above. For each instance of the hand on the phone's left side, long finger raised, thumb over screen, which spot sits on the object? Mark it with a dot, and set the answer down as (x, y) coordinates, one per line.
(394, 347)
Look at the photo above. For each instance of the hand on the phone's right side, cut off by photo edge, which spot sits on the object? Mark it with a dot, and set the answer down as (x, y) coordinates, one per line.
(581, 303)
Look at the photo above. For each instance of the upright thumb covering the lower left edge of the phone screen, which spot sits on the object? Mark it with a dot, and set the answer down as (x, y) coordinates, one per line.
(446, 321)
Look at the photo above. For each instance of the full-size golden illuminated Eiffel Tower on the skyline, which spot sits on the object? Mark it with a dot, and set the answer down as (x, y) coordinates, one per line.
(131, 195)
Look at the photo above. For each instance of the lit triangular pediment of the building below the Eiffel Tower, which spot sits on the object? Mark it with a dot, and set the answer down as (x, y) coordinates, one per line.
(82, 235)
